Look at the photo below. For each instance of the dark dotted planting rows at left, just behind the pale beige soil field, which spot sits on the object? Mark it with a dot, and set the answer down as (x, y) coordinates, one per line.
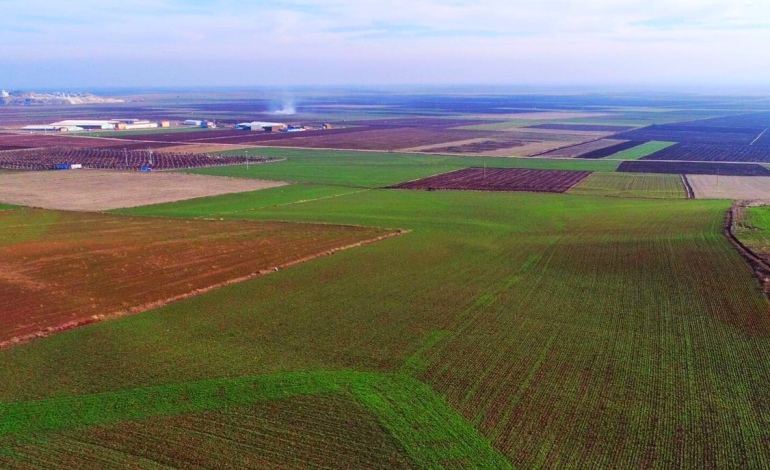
(115, 158)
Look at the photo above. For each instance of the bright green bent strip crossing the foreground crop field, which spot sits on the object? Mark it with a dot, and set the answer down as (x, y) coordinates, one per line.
(431, 432)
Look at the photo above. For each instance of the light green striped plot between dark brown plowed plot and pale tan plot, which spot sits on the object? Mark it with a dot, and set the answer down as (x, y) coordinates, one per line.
(631, 185)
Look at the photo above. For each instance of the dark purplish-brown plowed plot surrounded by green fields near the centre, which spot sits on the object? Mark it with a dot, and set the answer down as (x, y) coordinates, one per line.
(500, 179)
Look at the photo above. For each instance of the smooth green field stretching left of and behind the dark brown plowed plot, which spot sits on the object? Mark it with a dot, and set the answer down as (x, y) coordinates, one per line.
(377, 169)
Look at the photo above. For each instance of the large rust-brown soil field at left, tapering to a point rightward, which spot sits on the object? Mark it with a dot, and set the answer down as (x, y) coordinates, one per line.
(61, 269)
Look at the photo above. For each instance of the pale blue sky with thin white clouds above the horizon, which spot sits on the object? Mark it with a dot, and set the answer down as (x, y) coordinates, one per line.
(143, 43)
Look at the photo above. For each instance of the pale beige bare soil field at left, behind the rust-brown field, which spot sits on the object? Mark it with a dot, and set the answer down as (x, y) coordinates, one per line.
(98, 190)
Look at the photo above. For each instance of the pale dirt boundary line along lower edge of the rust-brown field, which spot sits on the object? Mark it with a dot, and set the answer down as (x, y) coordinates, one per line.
(160, 303)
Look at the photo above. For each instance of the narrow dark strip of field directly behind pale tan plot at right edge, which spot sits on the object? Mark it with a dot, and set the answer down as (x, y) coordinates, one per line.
(695, 168)
